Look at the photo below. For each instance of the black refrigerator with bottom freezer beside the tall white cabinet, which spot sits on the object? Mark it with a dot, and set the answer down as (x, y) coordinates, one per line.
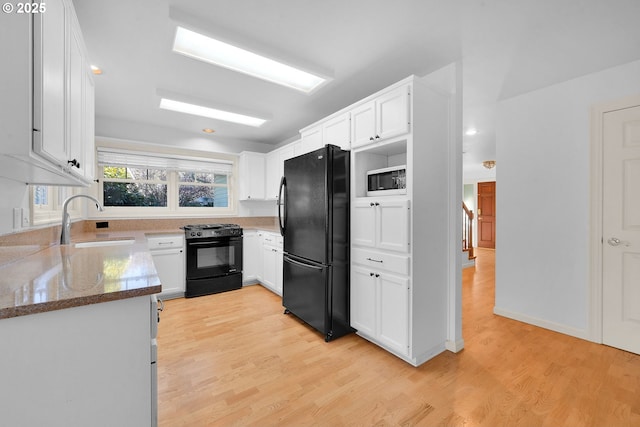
(313, 213)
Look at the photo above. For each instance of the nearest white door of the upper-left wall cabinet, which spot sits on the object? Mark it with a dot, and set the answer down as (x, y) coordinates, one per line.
(49, 67)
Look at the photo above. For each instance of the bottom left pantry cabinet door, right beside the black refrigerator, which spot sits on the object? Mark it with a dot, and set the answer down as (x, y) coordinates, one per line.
(363, 300)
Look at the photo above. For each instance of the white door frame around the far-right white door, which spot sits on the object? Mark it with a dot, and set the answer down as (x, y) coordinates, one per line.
(596, 235)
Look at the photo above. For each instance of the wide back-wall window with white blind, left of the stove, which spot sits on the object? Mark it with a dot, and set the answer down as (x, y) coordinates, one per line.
(164, 183)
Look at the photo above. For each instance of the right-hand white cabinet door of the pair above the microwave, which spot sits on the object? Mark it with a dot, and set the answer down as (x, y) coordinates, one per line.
(392, 113)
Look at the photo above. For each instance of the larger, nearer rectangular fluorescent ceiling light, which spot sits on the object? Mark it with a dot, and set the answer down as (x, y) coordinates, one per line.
(207, 49)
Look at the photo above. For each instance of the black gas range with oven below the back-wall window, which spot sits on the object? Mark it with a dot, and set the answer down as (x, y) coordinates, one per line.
(214, 258)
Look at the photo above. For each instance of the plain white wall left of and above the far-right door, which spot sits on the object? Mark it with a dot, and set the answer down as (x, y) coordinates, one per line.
(543, 193)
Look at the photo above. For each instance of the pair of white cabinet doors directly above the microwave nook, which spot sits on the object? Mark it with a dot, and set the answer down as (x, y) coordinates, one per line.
(384, 117)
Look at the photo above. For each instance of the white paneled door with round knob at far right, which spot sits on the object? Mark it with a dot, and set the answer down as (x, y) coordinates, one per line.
(621, 229)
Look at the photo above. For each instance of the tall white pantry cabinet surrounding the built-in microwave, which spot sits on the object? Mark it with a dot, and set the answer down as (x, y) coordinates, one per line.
(399, 242)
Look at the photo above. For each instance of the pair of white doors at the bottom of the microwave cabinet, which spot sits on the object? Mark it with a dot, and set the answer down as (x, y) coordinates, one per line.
(380, 307)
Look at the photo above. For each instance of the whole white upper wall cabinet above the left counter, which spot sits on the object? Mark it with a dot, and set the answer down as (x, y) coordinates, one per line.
(46, 120)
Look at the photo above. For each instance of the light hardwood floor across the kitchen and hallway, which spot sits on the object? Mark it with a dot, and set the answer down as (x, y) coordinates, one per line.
(234, 359)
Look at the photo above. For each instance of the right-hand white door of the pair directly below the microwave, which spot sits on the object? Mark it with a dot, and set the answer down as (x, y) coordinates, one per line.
(392, 228)
